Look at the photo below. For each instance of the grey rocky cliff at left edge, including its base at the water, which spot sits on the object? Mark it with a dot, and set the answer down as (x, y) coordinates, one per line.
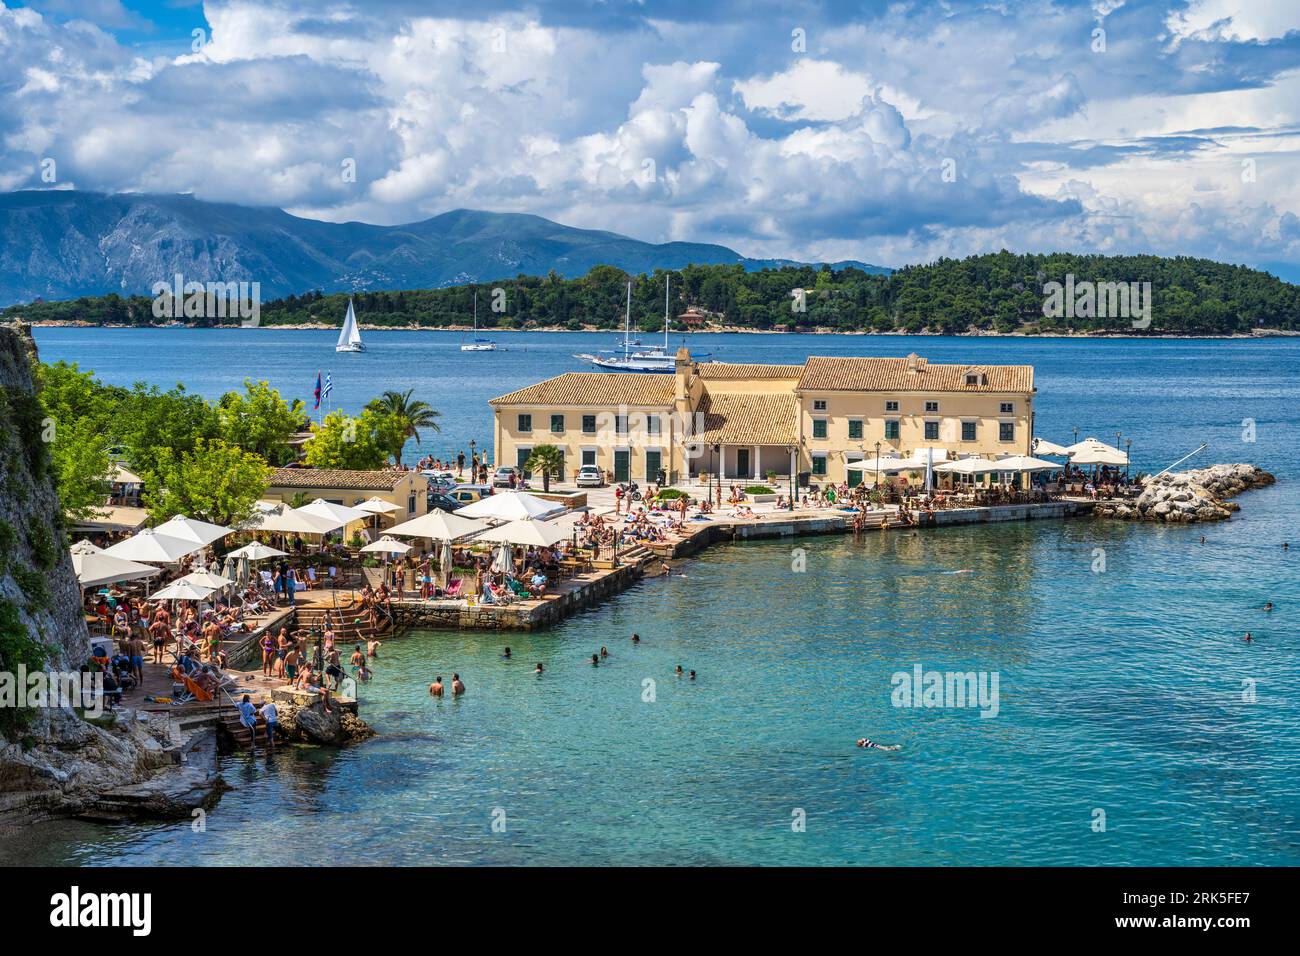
(51, 760)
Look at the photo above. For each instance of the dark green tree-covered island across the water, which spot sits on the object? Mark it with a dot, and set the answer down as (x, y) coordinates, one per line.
(999, 293)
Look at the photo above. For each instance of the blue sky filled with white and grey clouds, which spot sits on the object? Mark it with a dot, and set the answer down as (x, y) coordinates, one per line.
(889, 133)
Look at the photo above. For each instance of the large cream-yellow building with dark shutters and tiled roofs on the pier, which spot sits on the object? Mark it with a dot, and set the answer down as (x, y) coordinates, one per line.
(753, 422)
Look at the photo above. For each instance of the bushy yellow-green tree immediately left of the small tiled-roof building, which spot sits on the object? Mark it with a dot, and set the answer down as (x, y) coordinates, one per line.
(214, 482)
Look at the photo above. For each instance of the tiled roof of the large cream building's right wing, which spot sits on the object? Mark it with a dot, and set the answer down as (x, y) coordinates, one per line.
(892, 375)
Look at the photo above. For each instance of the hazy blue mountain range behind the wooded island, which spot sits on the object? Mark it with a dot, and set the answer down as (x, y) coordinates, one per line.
(67, 244)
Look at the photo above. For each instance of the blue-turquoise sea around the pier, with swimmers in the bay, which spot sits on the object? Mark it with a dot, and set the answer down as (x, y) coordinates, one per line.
(1120, 691)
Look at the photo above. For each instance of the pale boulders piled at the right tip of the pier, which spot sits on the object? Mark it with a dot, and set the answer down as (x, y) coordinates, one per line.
(1190, 496)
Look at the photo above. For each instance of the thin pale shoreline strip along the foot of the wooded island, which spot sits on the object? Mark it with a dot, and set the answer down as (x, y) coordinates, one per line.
(713, 330)
